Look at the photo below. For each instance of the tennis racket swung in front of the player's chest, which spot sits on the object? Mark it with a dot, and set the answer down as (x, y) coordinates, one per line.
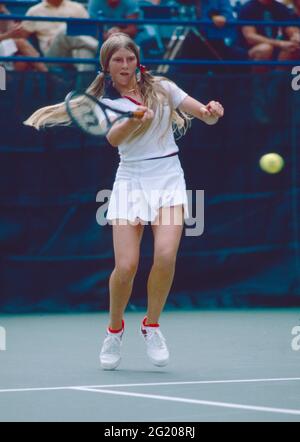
(92, 116)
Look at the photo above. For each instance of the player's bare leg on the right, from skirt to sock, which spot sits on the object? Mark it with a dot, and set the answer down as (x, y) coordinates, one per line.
(166, 242)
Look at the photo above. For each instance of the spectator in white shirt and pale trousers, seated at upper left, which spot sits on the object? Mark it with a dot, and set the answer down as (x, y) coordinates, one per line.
(51, 36)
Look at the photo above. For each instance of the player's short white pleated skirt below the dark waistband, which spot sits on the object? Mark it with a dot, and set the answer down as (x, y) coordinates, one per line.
(142, 187)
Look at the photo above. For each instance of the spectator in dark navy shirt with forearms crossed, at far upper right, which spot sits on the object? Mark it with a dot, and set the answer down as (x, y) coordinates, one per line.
(268, 42)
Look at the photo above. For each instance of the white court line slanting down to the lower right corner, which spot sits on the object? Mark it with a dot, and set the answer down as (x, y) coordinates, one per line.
(196, 401)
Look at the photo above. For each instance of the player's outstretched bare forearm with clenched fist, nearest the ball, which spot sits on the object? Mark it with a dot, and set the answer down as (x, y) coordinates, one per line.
(209, 113)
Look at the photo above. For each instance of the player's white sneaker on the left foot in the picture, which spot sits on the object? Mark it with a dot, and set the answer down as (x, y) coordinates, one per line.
(110, 355)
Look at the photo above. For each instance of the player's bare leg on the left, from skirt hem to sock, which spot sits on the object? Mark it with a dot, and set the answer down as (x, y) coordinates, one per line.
(126, 239)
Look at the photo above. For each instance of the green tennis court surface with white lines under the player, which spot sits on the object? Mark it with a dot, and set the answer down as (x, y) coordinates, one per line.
(237, 365)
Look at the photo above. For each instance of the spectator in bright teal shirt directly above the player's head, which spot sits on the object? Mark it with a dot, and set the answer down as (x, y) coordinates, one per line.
(125, 9)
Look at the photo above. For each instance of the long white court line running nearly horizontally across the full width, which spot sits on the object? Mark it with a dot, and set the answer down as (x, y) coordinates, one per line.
(149, 384)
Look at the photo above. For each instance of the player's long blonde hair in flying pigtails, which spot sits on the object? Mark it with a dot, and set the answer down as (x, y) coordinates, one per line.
(153, 94)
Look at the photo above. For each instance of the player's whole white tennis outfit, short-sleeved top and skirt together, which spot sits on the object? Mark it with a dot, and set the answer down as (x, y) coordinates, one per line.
(143, 184)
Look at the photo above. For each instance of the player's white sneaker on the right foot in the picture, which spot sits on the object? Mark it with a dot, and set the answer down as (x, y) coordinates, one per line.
(157, 349)
